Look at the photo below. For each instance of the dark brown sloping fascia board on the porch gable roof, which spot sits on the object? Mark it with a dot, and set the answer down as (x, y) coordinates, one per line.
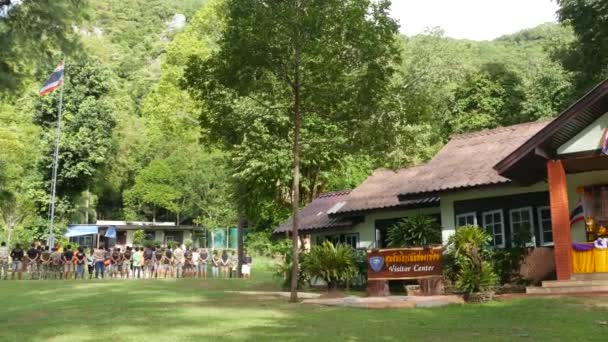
(595, 94)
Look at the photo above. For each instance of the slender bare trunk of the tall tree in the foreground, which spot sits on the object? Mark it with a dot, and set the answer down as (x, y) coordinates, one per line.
(295, 198)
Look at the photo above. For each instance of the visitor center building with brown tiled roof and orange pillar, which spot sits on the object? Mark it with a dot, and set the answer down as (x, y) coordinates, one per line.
(541, 185)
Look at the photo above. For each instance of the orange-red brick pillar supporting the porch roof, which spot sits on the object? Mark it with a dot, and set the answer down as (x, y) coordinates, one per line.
(560, 218)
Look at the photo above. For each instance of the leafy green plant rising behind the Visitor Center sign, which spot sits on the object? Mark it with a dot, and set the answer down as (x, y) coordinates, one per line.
(416, 230)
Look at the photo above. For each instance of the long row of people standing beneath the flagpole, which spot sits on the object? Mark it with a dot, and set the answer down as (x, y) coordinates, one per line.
(138, 262)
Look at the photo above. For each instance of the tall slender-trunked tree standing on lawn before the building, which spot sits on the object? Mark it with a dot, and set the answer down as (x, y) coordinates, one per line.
(315, 58)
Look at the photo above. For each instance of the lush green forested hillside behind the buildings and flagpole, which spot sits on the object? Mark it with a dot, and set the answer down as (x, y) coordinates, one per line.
(139, 143)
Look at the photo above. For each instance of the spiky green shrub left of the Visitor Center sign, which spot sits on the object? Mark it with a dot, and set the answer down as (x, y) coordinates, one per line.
(332, 263)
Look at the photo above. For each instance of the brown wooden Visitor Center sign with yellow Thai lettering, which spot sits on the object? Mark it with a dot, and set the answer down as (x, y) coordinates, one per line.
(404, 263)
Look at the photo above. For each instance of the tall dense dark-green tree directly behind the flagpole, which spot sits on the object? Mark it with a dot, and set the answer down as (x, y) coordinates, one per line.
(87, 125)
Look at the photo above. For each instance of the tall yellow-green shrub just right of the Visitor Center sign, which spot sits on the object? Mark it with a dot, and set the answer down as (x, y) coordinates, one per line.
(467, 250)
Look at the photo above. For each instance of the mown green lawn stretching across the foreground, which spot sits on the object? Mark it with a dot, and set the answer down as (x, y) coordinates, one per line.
(195, 310)
